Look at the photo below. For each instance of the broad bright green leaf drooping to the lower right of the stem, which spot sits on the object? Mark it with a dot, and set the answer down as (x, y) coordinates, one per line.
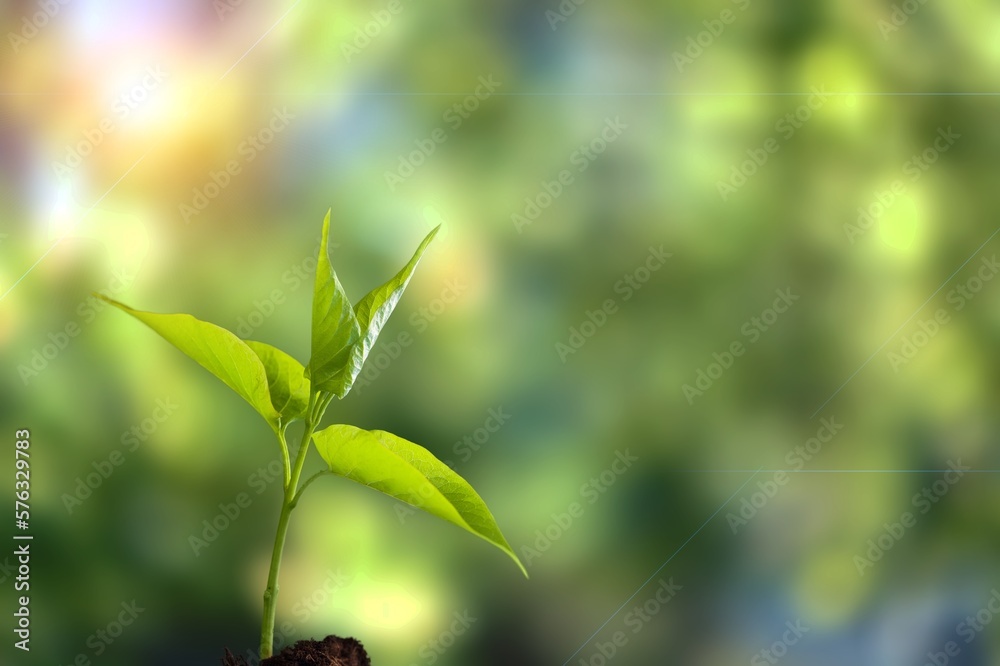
(408, 472)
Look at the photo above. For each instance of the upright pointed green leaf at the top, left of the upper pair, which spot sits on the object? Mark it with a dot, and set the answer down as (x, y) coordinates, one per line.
(335, 329)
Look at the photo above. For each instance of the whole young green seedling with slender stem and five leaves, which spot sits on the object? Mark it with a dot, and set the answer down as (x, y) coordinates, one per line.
(283, 391)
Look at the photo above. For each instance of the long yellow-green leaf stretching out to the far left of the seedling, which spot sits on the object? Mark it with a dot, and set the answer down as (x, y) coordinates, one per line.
(215, 349)
